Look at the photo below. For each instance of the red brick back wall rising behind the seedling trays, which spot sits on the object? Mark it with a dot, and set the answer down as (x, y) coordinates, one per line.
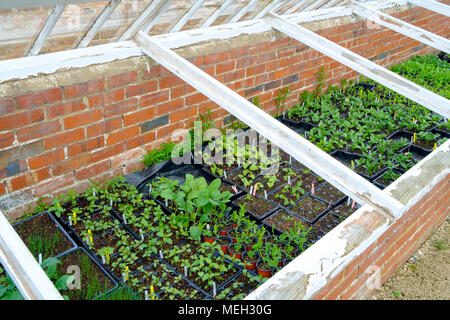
(57, 139)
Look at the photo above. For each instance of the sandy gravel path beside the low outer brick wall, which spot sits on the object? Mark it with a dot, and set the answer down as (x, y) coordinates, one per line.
(426, 275)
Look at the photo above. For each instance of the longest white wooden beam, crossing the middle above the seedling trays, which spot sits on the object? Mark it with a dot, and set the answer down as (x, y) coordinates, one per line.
(291, 142)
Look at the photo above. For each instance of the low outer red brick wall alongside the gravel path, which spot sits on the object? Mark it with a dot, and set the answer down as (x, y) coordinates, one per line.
(393, 247)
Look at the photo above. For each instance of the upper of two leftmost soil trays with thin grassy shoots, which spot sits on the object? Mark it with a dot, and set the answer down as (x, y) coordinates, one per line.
(42, 230)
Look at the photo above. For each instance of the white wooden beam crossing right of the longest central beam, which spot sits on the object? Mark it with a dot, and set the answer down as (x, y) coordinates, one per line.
(364, 66)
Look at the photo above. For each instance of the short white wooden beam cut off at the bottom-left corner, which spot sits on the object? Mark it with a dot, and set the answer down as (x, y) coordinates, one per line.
(22, 267)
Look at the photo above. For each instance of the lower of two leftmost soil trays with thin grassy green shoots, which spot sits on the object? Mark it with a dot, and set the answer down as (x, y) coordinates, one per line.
(93, 281)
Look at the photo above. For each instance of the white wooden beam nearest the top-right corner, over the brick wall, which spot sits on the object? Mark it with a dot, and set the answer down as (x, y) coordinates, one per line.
(402, 27)
